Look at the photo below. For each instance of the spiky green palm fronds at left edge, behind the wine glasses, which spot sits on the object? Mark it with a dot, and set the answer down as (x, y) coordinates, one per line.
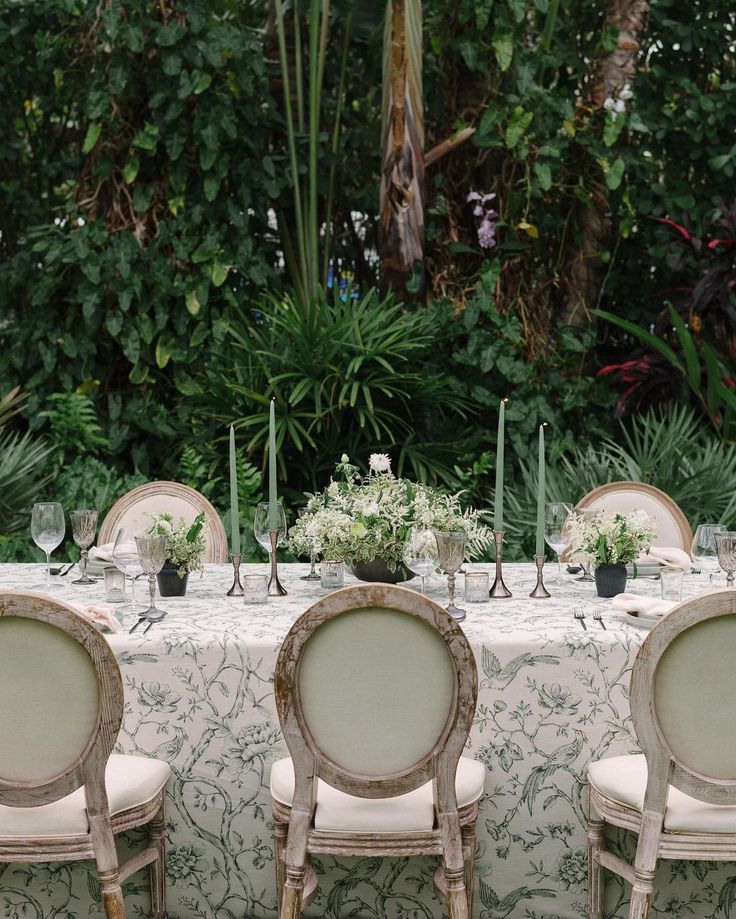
(24, 467)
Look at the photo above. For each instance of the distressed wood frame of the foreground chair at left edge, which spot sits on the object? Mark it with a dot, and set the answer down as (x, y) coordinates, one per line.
(88, 770)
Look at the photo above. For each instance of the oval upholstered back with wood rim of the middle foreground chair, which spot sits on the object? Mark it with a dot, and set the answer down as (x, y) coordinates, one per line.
(375, 689)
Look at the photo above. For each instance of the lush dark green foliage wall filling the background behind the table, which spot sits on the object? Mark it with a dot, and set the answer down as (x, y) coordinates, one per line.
(146, 191)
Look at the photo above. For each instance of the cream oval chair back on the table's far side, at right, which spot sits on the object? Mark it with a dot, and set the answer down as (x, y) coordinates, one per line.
(671, 524)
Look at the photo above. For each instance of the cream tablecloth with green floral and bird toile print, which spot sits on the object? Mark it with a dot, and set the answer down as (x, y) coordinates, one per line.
(199, 694)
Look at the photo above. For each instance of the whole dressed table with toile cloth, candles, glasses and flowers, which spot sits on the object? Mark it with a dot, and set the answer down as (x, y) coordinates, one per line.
(554, 660)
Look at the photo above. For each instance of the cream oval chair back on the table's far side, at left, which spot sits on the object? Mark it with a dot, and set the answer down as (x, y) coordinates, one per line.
(134, 511)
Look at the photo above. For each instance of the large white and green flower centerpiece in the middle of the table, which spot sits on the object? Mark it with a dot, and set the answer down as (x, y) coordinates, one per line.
(364, 519)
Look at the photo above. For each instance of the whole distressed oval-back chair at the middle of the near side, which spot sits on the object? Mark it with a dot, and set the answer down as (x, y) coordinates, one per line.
(375, 689)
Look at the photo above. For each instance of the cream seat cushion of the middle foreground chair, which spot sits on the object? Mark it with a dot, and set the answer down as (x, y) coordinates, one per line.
(412, 812)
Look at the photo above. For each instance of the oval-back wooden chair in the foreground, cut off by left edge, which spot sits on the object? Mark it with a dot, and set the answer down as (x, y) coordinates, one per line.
(63, 796)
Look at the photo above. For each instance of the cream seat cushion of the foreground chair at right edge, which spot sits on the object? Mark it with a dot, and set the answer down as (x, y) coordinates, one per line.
(624, 779)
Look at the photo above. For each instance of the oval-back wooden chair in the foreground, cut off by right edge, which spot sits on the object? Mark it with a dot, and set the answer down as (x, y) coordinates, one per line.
(679, 796)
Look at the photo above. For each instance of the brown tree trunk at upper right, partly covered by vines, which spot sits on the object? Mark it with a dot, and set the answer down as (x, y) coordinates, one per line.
(609, 75)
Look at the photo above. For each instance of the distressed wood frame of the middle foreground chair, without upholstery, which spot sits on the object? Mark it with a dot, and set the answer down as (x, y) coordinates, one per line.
(452, 838)
